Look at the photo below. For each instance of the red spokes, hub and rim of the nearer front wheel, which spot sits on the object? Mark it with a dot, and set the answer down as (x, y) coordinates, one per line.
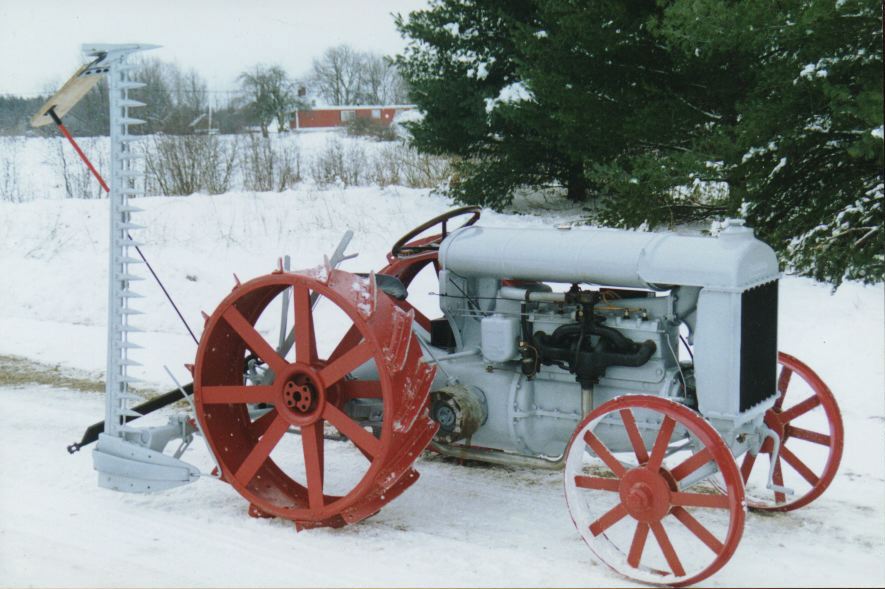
(649, 528)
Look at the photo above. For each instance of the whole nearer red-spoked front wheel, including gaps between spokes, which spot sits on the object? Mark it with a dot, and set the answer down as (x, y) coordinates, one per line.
(636, 485)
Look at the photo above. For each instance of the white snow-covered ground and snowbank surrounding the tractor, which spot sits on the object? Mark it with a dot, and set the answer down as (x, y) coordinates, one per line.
(470, 526)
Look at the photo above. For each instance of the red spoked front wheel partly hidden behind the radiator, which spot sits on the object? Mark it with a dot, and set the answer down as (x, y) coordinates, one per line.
(809, 425)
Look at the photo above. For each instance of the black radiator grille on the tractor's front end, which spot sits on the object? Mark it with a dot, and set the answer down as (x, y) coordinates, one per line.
(758, 344)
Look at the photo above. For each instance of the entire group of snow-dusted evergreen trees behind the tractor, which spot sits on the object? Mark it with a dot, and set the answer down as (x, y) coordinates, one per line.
(660, 113)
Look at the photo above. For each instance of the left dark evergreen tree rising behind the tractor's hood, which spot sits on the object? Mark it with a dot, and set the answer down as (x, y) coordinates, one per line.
(550, 92)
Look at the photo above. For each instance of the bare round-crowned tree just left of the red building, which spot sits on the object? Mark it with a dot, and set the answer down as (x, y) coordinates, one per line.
(271, 95)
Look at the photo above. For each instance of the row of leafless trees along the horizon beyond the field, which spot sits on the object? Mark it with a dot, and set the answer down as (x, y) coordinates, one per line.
(180, 101)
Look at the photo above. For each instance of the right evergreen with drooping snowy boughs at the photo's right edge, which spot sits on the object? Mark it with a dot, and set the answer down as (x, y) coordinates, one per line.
(805, 157)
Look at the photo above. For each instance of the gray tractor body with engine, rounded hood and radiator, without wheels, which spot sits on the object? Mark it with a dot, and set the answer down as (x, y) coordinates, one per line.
(541, 326)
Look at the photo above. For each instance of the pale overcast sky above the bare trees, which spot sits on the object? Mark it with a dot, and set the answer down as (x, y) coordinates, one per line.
(40, 39)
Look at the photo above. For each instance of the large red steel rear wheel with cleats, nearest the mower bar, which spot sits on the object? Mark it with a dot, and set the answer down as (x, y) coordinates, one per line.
(256, 457)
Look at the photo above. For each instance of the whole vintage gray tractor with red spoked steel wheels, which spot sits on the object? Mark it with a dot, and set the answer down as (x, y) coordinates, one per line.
(556, 348)
